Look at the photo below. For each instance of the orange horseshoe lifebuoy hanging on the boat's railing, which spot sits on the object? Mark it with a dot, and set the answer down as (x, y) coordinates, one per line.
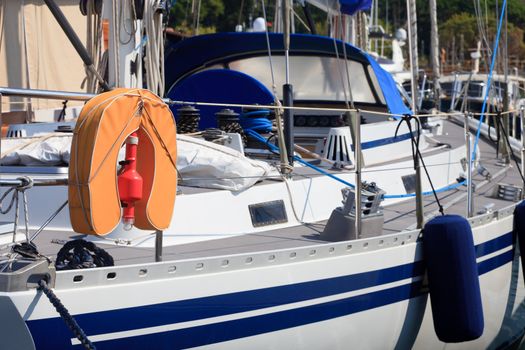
(104, 124)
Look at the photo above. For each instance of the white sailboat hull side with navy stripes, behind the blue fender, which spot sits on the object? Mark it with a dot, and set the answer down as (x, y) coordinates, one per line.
(358, 294)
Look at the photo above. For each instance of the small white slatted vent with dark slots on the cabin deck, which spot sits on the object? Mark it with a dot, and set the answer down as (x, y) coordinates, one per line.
(338, 146)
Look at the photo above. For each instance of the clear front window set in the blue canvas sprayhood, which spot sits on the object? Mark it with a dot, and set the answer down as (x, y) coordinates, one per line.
(312, 77)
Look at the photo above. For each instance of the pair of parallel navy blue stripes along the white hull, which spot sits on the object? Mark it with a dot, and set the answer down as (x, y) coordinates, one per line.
(52, 333)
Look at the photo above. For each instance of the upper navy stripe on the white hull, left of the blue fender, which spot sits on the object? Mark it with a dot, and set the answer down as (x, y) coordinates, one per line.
(220, 305)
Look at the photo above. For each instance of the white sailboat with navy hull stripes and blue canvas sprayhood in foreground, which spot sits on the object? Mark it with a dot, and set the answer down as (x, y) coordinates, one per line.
(235, 233)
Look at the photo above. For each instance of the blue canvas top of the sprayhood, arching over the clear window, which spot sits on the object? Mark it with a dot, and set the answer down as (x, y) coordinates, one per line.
(199, 52)
